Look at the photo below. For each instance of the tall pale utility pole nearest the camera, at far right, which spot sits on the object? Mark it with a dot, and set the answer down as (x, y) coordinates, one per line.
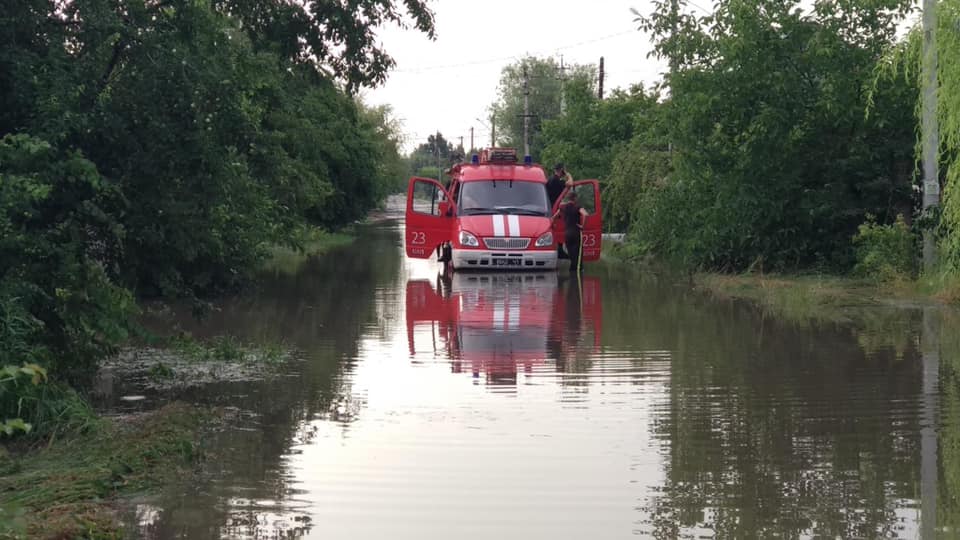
(929, 129)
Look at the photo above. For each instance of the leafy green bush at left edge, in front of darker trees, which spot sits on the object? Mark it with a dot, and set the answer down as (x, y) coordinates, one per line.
(60, 306)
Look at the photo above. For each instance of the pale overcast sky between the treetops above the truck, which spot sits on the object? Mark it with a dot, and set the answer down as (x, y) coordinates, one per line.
(447, 84)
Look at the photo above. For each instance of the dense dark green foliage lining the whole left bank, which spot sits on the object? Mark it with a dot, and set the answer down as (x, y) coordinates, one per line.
(157, 148)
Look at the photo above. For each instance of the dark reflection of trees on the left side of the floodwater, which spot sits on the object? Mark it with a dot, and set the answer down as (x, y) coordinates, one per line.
(323, 312)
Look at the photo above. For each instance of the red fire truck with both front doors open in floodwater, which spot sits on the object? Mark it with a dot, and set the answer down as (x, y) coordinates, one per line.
(495, 214)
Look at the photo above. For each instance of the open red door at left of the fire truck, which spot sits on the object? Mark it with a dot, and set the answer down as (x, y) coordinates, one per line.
(429, 217)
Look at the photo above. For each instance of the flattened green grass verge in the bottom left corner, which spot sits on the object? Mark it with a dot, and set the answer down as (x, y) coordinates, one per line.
(67, 489)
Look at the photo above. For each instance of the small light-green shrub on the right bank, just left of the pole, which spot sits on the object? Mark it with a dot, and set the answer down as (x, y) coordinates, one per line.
(885, 252)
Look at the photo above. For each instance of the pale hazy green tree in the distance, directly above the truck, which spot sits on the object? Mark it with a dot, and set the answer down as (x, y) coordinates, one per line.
(545, 81)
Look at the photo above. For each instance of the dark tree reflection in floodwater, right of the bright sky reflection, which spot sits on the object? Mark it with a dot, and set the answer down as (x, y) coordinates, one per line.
(771, 429)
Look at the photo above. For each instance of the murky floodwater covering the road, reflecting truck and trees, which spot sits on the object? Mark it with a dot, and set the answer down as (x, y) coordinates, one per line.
(535, 406)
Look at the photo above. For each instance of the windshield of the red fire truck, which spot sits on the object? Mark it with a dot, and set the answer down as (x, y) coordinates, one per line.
(503, 197)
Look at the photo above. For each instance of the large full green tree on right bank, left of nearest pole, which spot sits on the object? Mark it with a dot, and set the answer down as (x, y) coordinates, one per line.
(774, 158)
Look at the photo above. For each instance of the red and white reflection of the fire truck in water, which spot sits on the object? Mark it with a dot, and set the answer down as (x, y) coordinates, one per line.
(497, 324)
